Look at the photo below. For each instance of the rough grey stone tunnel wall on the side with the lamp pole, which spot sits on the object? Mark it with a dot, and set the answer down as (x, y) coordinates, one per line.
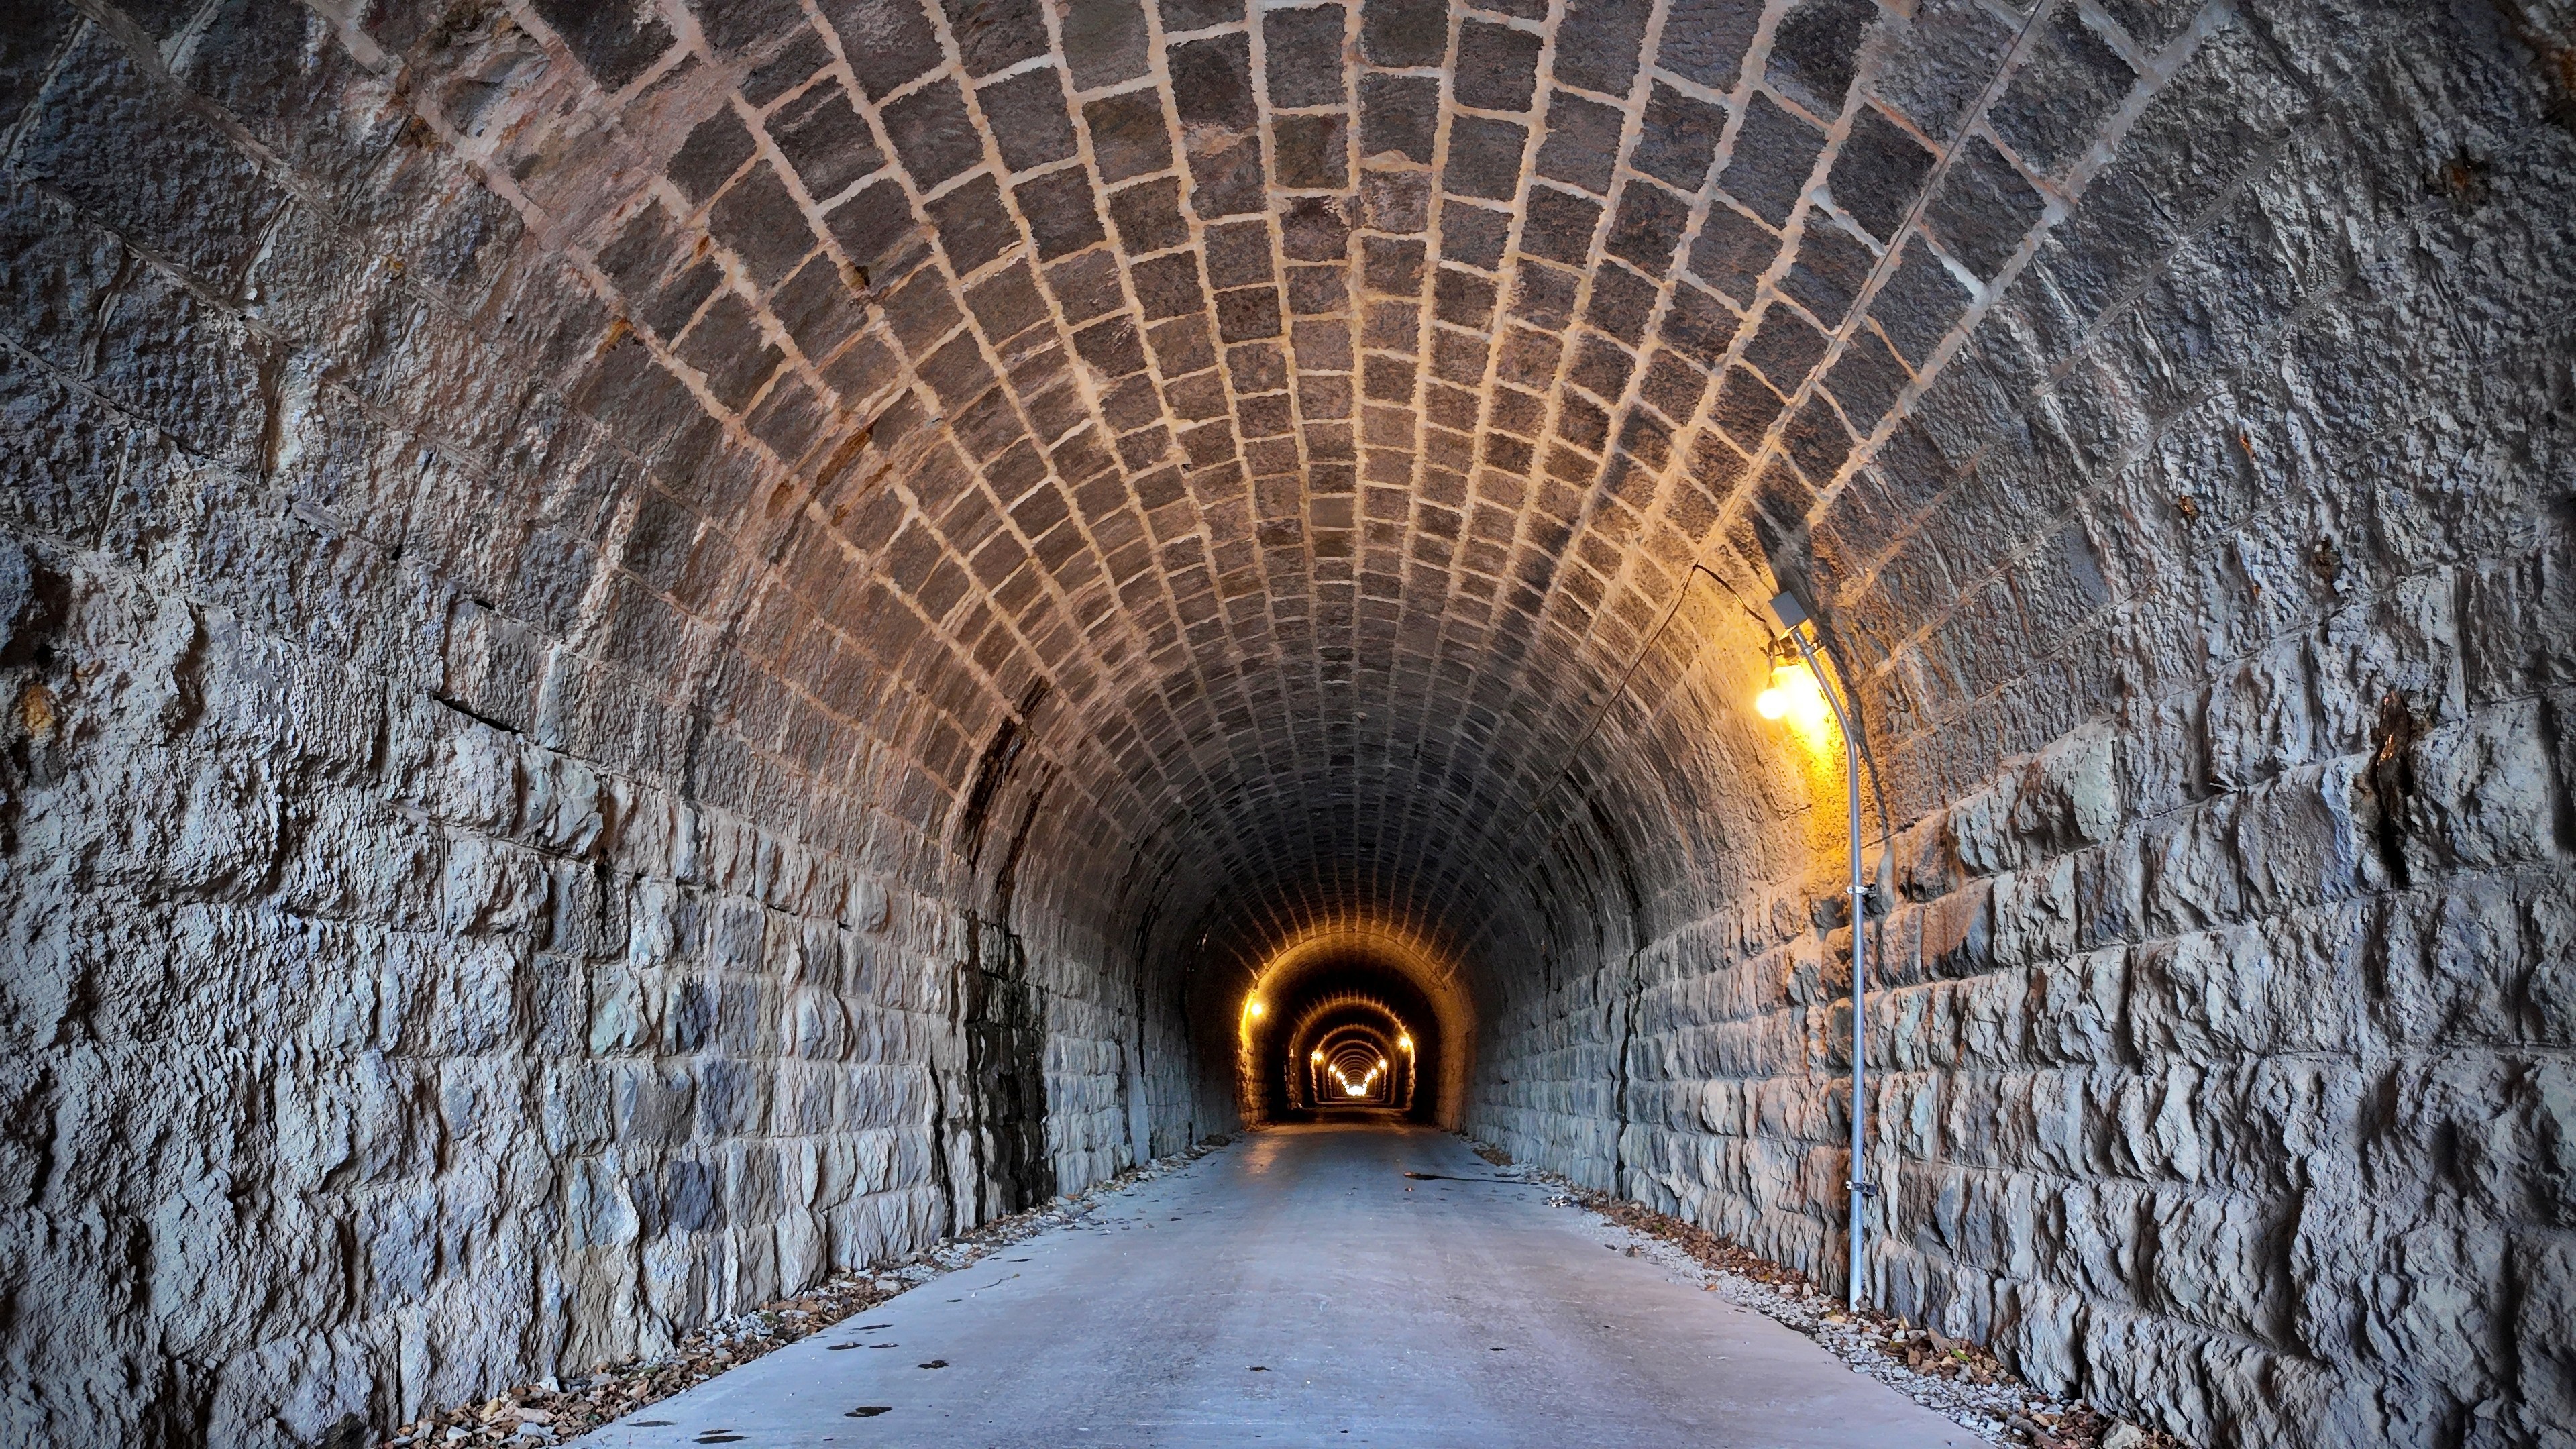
(2217, 628)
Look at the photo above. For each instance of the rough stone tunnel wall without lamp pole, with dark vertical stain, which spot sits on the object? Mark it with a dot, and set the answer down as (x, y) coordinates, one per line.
(455, 927)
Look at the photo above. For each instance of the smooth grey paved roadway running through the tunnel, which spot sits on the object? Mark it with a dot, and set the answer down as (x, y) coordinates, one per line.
(1302, 1290)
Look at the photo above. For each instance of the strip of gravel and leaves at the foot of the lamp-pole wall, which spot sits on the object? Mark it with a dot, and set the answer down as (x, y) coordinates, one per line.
(1946, 1376)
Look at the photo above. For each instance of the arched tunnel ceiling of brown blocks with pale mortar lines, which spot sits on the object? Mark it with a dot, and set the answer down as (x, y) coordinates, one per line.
(1346, 437)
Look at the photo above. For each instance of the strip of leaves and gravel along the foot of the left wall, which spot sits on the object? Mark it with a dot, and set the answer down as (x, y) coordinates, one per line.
(558, 1412)
